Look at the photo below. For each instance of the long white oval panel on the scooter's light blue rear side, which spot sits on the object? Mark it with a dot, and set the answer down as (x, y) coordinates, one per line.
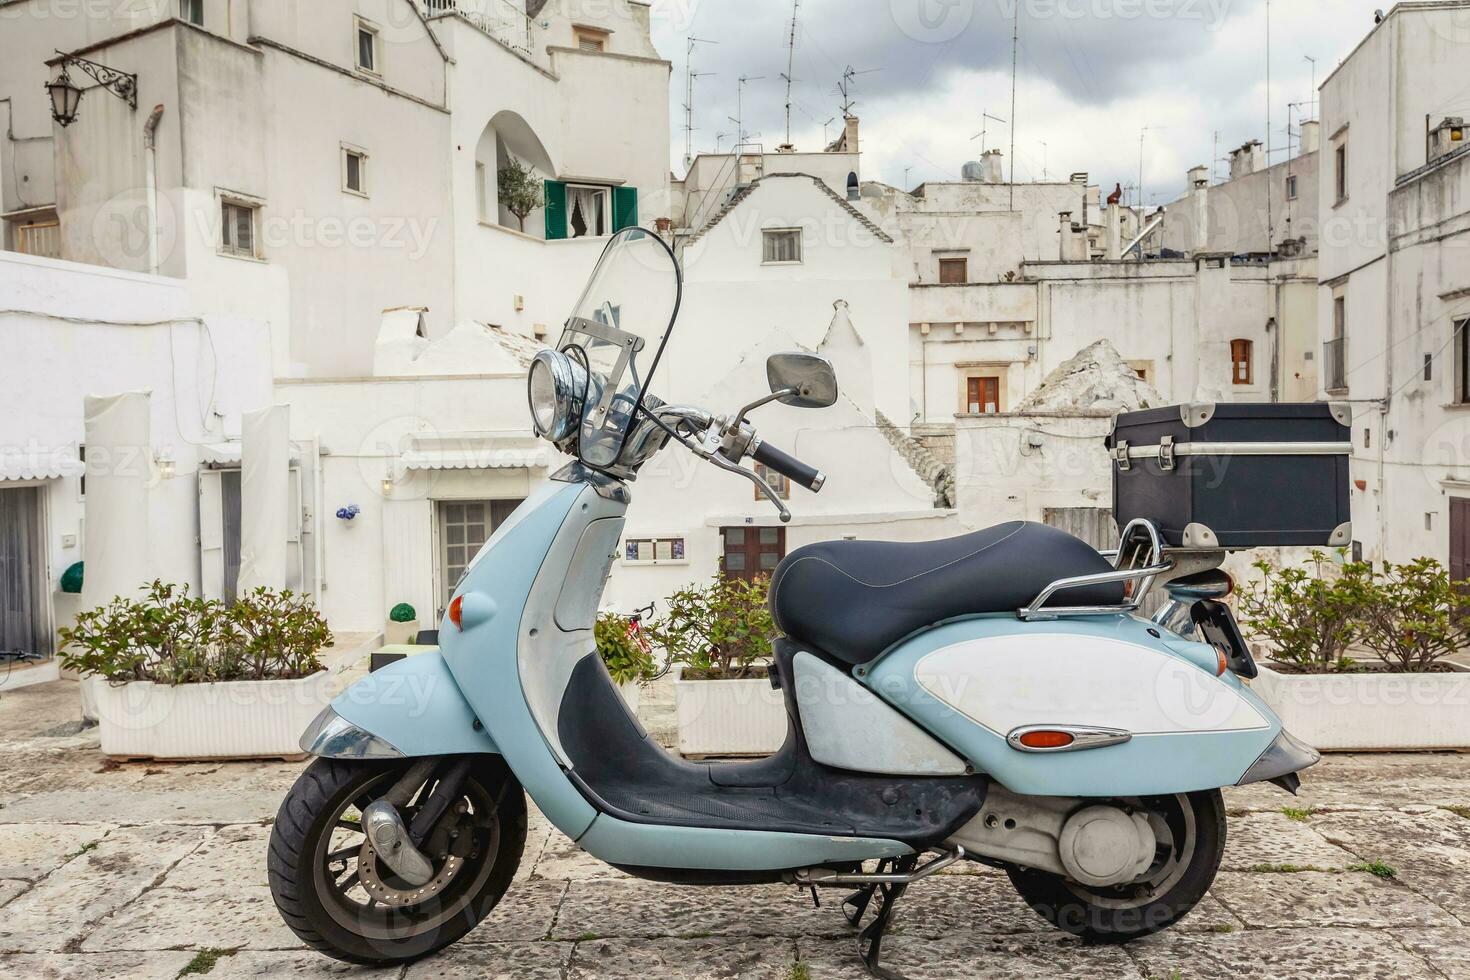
(1006, 682)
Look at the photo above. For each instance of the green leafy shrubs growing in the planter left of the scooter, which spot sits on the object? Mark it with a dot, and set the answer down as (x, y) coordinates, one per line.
(171, 637)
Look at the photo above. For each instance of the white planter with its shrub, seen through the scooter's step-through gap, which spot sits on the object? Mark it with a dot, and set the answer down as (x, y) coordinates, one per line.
(720, 635)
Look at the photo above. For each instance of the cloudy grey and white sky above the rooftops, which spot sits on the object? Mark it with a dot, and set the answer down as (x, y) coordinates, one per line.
(1094, 76)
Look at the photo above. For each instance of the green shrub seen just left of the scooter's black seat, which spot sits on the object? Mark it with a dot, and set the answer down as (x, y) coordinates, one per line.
(718, 631)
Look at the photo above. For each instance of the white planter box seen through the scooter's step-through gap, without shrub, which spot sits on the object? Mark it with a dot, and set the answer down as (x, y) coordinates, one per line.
(728, 718)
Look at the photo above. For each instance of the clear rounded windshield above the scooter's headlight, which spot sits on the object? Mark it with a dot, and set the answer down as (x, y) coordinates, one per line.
(618, 331)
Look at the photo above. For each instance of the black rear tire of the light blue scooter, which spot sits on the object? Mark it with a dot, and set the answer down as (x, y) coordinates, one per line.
(1121, 915)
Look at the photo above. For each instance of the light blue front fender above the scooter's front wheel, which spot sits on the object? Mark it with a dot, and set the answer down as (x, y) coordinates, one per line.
(414, 706)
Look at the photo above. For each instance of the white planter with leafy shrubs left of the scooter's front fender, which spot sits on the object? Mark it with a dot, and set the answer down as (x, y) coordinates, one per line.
(182, 677)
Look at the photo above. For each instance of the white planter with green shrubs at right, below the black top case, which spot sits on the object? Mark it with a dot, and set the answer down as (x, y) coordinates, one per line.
(1402, 621)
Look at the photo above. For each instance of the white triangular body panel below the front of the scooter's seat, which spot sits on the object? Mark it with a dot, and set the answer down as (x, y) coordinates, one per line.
(849, 728)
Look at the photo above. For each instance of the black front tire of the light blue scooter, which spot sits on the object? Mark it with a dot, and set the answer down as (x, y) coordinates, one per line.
(330, 922)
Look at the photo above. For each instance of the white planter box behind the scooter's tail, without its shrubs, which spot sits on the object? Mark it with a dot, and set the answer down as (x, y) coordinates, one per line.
(1371, 710)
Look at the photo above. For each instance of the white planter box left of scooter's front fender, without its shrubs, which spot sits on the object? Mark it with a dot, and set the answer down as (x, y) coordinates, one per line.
(237, 719)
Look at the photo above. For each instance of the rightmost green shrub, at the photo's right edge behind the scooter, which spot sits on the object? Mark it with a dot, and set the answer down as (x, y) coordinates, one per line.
(1418, 616)
